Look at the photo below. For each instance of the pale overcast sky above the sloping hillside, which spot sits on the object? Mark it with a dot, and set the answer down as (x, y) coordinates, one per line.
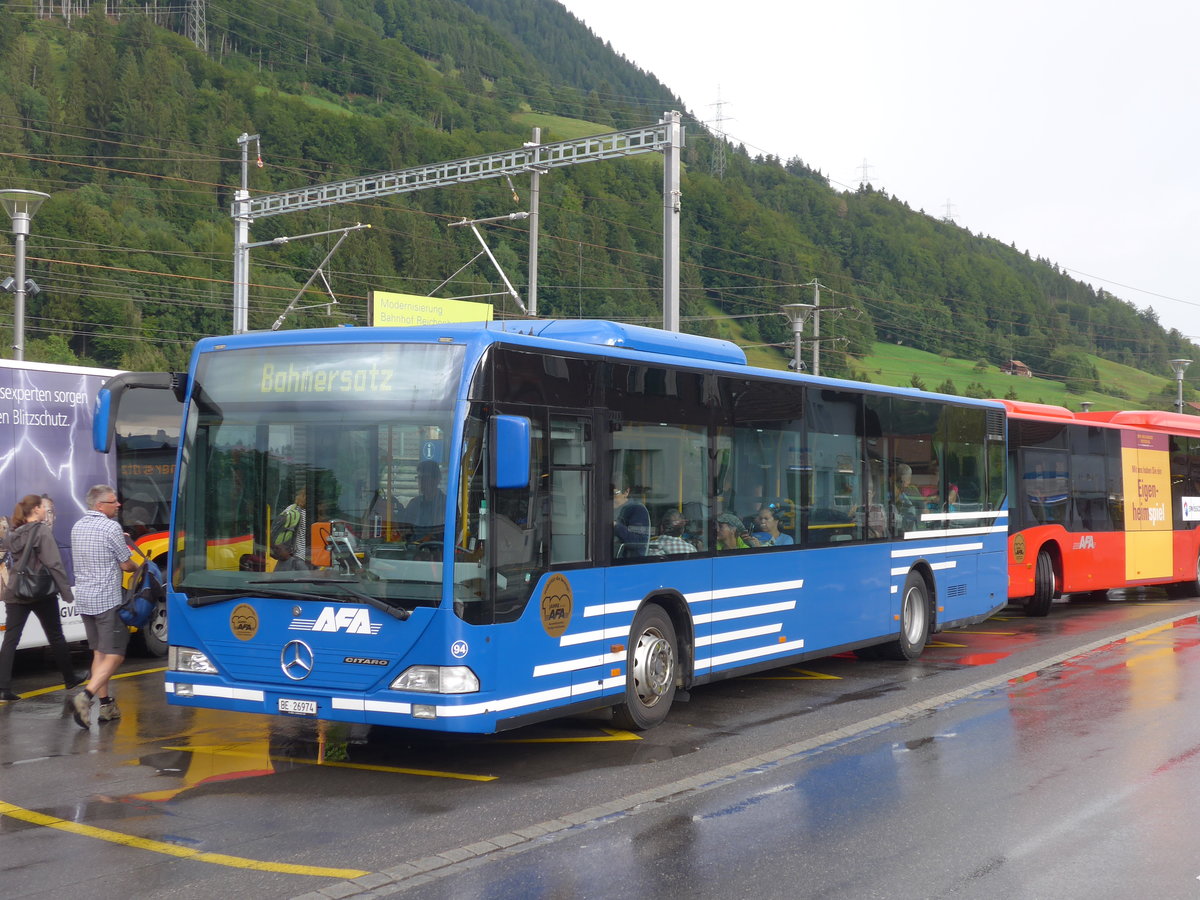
(1066, 128)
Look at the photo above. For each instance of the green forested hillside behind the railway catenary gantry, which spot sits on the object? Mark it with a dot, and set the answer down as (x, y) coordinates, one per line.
(134, 133)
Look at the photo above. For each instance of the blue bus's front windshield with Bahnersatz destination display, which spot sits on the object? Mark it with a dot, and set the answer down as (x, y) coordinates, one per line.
(319, 471)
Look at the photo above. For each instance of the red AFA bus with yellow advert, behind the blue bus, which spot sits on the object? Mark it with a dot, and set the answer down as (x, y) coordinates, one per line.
(1101, 501)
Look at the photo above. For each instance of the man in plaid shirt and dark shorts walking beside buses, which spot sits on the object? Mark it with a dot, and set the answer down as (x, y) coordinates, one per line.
(101, 555)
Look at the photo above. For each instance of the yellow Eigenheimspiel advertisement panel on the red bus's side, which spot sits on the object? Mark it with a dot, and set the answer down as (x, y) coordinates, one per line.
(1145, 461)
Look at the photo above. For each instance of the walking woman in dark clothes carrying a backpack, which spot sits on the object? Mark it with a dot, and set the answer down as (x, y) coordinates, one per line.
(33, 551)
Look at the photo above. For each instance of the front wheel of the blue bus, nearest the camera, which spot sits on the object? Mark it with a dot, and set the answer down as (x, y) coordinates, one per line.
(652, 668)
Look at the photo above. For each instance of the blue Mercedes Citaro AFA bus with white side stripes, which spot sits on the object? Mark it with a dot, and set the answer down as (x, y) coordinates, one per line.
(475, 527)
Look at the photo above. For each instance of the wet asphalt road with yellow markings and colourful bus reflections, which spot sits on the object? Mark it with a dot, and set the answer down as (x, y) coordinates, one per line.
(1021, 758)
